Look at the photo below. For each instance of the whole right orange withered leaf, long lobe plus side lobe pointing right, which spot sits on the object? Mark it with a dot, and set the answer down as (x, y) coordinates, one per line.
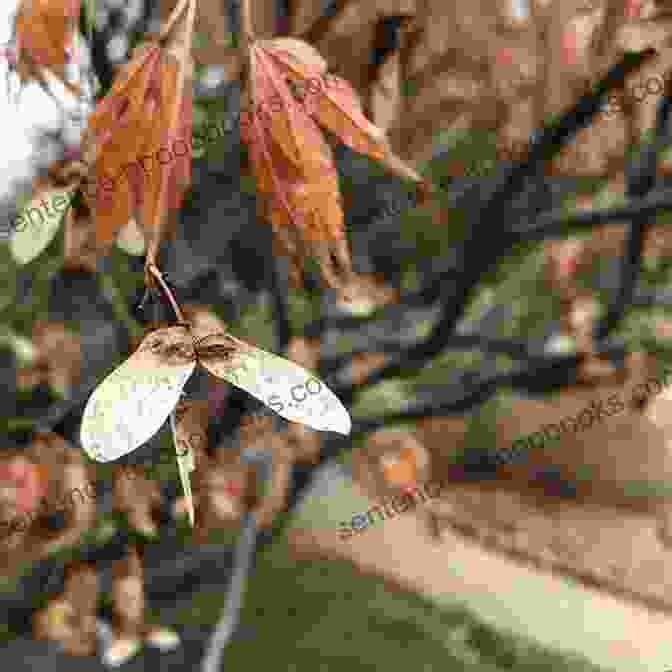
(293, 164)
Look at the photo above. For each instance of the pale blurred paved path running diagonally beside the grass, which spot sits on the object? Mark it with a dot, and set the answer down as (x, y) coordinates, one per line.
(554, 610)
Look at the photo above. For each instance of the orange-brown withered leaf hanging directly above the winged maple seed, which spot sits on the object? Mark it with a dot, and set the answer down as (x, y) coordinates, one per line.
(141, 119)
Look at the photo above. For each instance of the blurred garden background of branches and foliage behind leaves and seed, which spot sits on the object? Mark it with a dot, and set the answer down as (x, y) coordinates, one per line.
(473, 346)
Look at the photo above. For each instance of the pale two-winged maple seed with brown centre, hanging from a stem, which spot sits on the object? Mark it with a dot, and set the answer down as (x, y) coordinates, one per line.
(134, 401)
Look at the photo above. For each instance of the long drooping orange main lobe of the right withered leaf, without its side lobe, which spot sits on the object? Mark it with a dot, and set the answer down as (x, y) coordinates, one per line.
(295, 172)
